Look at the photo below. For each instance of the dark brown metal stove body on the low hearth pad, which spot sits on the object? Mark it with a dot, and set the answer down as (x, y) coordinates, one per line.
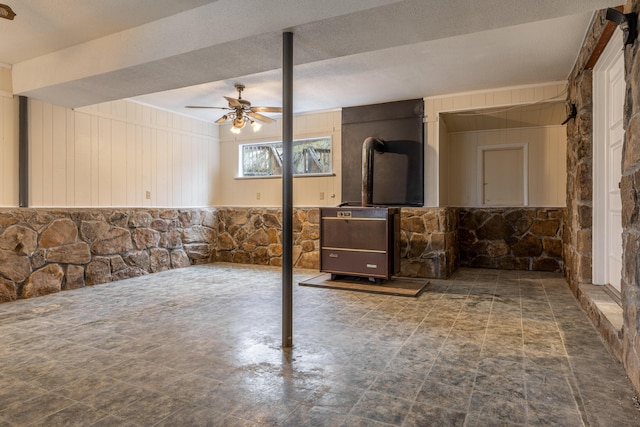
(358, 241)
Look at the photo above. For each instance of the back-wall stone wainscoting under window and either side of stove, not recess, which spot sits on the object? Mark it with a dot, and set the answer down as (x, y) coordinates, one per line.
(253, 236)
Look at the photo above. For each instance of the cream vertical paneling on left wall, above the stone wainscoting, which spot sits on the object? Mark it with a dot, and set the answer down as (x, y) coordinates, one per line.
(120, 154)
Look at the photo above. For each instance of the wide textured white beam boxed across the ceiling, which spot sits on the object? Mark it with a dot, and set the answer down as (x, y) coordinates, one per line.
(230, 38)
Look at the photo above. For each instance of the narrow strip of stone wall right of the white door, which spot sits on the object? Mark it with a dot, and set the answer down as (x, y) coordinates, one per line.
(630, 191)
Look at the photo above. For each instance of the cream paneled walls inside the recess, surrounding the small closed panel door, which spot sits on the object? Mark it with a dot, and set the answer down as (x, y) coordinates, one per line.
(547, 149)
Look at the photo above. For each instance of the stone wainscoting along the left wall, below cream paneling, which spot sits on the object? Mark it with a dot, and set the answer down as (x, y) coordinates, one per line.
(48, 250)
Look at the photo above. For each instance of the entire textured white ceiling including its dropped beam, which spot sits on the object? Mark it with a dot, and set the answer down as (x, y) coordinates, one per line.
(172, 53)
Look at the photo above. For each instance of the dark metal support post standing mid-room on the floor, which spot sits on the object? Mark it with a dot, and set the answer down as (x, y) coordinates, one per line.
(287, 190)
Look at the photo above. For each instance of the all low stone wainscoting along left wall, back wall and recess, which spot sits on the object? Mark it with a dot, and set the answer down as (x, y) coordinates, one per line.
(49, 250)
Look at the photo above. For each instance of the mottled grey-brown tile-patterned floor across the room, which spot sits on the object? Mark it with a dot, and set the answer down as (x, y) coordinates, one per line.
(201, 346)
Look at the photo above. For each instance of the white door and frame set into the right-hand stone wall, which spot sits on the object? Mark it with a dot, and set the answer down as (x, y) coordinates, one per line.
(609, 97)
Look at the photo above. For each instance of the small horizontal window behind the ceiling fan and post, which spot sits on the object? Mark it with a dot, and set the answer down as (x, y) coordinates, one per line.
(310, 157)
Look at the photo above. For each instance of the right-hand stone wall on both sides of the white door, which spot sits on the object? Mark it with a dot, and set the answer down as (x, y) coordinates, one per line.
(578, 218)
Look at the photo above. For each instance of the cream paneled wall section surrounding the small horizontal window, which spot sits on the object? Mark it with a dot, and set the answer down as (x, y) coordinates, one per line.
(306, 190)
